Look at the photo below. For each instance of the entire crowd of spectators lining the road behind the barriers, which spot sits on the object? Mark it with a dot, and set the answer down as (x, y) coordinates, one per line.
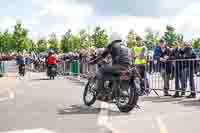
(175, 61)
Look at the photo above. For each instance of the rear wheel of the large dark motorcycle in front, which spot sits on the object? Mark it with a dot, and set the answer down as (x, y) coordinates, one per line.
(127, 100)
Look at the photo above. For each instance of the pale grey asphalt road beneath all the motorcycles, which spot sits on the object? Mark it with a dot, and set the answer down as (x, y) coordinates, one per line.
(44, 106)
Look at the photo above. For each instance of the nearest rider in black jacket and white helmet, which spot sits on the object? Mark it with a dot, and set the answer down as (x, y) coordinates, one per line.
(122, 59)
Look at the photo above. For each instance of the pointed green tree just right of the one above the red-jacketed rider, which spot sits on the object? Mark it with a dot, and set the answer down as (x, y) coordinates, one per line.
(66, 45)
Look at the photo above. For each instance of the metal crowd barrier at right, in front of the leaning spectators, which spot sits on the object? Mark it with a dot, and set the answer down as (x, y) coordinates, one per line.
(175, 75)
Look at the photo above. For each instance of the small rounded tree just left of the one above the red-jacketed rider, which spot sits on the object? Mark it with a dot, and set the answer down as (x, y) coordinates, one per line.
(41, 45)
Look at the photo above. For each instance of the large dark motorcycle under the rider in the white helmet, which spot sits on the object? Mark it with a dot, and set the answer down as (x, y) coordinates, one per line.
(123, 90)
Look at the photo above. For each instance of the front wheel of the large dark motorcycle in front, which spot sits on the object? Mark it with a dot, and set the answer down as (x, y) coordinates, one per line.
(89, 94)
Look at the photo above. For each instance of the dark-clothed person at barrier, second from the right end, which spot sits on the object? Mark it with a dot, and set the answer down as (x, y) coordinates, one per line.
(176, 56)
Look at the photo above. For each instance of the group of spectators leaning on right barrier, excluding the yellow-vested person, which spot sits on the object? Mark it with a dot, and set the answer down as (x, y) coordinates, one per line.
(178, 61)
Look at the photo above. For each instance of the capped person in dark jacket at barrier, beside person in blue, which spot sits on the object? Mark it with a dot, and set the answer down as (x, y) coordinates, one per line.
(165, 65)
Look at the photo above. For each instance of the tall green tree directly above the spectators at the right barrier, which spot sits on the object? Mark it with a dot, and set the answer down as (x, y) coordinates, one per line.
(170, 35)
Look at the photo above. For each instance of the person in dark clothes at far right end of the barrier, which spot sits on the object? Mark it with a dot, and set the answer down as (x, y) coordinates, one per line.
(189, 68)
